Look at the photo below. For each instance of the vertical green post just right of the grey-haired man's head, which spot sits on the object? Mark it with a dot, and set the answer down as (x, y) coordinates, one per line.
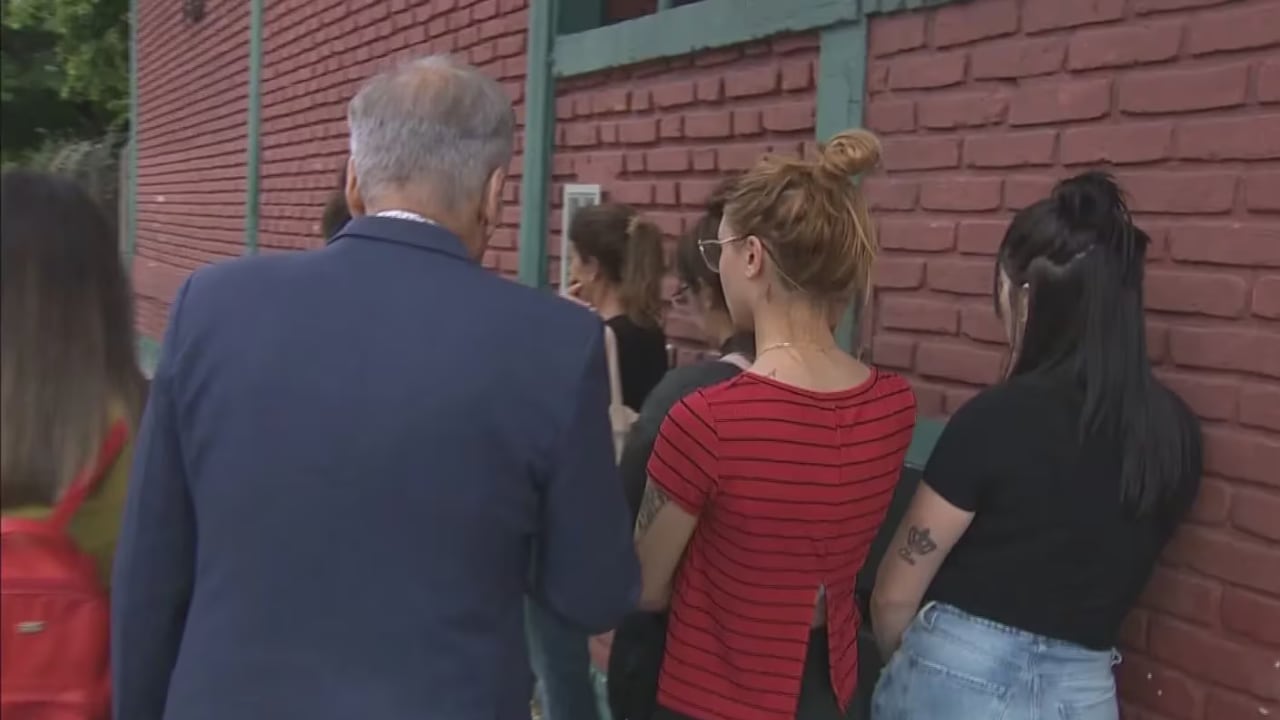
(540, 127)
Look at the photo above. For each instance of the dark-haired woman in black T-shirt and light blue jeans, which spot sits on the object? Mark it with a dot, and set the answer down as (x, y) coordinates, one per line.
(1050, 496)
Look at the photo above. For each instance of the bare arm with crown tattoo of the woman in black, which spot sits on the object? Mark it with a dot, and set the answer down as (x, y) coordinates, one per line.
(924, 540)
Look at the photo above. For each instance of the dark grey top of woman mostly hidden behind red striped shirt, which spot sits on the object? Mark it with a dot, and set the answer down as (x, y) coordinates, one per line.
(676, 385)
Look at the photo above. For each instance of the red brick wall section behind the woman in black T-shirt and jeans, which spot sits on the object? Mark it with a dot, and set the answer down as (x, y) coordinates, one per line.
(982, 106)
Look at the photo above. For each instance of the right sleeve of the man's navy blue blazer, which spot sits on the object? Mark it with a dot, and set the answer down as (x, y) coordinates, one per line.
(587, 569)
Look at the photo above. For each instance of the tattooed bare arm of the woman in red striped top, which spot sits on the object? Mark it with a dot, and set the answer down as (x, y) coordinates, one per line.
(662, 534)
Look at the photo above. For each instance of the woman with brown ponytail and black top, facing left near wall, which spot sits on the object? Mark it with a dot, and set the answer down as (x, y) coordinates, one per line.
(616, 267)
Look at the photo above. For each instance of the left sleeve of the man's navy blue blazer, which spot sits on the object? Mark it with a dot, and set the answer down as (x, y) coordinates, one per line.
(156, 557)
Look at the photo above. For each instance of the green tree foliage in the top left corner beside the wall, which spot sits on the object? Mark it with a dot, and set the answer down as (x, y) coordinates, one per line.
(65, 72)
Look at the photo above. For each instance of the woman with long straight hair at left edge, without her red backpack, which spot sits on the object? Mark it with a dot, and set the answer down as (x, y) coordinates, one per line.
(68, 368)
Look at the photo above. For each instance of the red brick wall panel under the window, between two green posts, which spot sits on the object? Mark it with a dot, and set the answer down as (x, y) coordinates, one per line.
(660, 136)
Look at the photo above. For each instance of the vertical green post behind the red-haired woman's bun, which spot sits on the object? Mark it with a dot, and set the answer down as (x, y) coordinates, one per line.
(842, 85)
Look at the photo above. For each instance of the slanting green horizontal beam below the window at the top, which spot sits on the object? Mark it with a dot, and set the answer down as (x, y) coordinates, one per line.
(700, 26)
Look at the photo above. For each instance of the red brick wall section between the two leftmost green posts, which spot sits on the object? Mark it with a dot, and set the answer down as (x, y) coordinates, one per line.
(194, 81)
